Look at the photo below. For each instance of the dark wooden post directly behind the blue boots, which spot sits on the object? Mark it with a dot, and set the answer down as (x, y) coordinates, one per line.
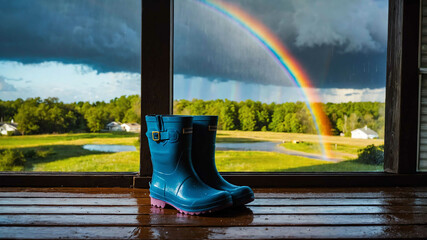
(157, 68)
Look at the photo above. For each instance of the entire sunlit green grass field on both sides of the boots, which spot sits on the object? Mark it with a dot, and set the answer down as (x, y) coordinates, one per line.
(67, 154)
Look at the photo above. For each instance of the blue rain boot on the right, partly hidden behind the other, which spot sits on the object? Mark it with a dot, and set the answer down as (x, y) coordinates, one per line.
(203, 157)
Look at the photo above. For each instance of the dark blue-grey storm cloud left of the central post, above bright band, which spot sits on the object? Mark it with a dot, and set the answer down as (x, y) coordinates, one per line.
(104, 34)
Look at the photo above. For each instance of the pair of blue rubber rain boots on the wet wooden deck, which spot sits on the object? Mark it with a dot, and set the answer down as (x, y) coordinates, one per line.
(184, 173)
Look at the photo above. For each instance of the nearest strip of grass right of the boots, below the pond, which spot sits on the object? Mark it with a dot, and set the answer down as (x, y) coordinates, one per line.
(230, 161)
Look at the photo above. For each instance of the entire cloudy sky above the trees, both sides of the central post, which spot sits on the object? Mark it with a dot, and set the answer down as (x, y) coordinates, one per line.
(90, 50)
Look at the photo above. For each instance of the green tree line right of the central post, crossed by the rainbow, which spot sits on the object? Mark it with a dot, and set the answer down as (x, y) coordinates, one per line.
(291, 117)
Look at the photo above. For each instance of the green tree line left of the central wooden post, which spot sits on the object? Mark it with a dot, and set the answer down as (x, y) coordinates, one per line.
(38, 116)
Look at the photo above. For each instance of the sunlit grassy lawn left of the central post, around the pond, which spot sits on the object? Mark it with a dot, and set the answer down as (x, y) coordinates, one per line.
(68, 155)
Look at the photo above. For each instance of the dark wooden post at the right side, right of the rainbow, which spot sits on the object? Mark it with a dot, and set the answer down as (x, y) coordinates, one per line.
(401, 127)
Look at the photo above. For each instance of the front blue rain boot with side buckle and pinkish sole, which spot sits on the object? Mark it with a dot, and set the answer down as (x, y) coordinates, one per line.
(174, 180)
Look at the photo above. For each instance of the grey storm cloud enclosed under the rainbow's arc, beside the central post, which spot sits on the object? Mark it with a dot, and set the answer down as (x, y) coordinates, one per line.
(210, 46)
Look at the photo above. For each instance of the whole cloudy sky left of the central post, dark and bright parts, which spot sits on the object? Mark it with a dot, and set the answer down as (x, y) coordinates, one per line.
(72, 49)
